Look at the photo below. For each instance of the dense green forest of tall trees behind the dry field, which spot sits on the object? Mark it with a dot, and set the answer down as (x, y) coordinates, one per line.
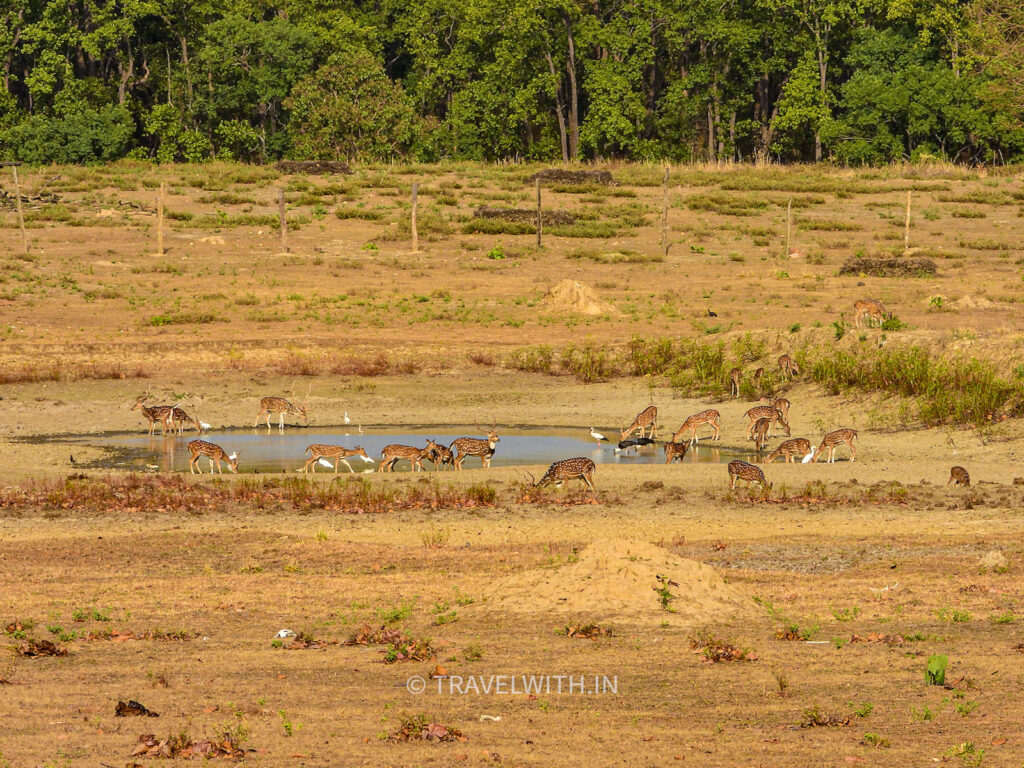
(857, 82)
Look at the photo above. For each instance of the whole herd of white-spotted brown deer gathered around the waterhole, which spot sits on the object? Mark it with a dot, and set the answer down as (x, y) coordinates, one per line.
(762, 419)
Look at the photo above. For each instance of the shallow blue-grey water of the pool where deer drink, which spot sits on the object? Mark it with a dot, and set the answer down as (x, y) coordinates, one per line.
(284, 451)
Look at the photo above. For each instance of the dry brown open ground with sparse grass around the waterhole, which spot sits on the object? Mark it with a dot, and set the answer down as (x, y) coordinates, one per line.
(218, 324)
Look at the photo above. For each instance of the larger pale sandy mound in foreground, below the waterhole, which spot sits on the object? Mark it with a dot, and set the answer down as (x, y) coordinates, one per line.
(616, 580)
